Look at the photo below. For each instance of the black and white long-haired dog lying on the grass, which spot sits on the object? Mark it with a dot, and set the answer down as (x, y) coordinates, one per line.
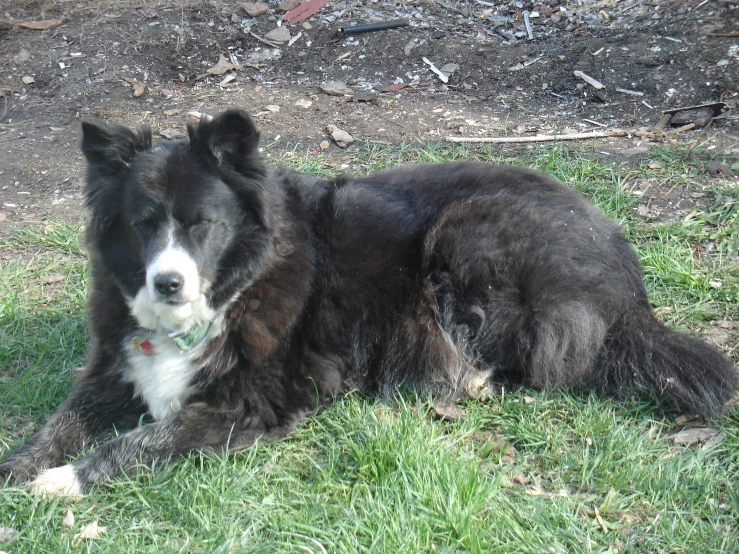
(231, 299)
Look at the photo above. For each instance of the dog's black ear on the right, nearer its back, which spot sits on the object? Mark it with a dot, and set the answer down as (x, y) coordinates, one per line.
(230, 139)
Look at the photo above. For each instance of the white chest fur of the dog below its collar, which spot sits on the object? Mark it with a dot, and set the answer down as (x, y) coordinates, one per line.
(162, 374)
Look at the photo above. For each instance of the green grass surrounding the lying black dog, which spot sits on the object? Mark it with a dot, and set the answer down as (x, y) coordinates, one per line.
(528, 472)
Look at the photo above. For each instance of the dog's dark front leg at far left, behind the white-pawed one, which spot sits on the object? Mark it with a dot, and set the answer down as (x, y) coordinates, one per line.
(95, 408)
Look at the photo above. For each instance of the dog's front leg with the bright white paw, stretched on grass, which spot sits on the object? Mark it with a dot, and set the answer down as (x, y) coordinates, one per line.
(196, 427)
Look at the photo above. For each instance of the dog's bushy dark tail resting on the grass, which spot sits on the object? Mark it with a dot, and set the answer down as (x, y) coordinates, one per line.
(643, 354)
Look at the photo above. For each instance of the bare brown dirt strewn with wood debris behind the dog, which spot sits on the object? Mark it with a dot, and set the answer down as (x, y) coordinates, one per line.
(153, 63)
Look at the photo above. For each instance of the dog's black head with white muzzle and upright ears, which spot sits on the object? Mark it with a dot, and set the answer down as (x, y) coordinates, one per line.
(179, 226)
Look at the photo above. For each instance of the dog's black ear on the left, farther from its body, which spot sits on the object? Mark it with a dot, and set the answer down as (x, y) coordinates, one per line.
(109, 147)
